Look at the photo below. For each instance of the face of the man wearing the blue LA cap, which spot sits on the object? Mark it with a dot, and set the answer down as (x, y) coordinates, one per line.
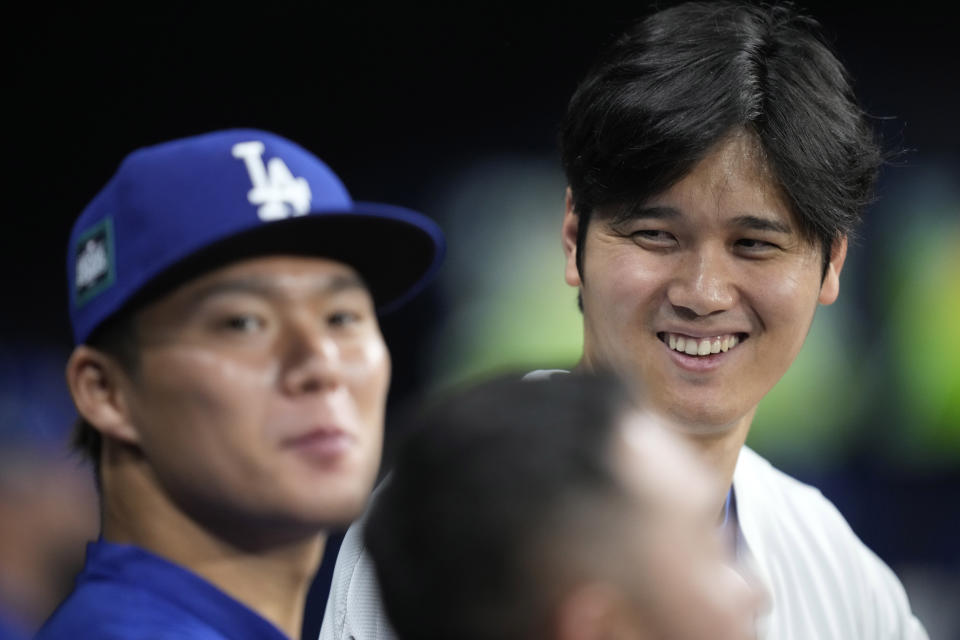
(260, 392)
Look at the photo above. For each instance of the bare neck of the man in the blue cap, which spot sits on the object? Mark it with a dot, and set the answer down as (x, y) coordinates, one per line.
(272, 578)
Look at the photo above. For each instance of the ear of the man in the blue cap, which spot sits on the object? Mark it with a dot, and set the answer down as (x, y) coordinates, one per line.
(96, 383)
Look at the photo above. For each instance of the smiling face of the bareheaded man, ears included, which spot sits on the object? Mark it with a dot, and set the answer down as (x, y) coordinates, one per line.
(704, 294)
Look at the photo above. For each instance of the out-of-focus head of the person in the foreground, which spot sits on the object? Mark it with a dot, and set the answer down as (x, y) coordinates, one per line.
(551, 508)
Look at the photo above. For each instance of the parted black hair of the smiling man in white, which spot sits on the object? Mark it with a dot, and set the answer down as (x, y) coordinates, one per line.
(687, 77)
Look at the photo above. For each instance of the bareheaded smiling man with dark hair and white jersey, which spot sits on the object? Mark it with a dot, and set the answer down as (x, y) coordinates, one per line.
(717, 163)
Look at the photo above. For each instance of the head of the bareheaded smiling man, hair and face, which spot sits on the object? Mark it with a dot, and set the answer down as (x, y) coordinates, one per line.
(717, 163)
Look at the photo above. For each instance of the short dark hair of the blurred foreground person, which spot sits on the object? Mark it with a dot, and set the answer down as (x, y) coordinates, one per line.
(488, 479)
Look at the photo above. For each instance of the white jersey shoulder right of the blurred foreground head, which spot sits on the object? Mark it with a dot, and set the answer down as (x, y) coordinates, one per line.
(823, 581)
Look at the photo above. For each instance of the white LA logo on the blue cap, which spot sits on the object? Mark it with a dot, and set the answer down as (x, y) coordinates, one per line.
(275, 191)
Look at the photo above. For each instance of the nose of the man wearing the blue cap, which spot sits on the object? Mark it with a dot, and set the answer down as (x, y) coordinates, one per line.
(312, 361)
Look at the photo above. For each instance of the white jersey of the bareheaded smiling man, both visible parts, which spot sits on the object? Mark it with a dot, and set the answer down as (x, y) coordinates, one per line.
(824, 583)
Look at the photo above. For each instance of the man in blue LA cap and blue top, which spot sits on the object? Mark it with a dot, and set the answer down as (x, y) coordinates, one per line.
(231, 380)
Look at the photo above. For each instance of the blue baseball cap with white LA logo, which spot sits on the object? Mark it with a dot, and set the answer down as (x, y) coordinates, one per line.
(179, 208)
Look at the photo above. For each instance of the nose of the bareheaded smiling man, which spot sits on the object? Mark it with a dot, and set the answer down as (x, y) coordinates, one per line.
(702, 285)
